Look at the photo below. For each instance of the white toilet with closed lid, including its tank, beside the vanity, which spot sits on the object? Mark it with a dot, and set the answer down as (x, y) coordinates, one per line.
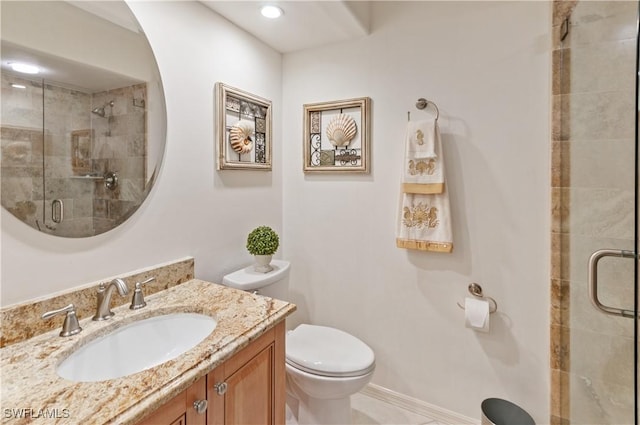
(324, 365)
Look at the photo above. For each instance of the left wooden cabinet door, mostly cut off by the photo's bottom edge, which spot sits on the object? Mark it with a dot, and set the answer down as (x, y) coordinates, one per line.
(180, 409)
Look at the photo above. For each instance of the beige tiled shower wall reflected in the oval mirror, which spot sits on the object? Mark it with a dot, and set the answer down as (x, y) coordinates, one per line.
(76, 144)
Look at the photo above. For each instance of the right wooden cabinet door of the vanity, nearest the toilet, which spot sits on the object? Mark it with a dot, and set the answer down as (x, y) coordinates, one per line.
(254, 384)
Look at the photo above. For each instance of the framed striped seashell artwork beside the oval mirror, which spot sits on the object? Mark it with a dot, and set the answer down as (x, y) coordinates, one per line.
(243, 129)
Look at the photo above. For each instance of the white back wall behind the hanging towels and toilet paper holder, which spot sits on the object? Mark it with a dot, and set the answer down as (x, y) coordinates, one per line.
(487, 67)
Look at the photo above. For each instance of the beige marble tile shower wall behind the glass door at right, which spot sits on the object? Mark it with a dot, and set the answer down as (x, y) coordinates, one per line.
(593, 151)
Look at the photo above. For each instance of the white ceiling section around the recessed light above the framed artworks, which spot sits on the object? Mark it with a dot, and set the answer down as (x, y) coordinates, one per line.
(305, 24)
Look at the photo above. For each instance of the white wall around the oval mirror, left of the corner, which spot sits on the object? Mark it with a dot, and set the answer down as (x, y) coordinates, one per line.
(193, 209)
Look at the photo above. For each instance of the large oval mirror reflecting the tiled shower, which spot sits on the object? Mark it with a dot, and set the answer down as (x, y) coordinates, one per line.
(83, 117)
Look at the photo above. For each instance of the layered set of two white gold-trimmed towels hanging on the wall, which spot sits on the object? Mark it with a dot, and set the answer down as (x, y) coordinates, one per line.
(424, 216)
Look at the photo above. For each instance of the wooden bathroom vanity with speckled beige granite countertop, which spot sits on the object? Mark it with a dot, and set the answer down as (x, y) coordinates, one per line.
(235, 375)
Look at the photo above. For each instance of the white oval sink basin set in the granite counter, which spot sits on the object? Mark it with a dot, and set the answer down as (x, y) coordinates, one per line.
(136, 347)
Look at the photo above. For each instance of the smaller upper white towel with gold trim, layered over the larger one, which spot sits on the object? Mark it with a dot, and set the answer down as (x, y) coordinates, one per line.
(423, 165)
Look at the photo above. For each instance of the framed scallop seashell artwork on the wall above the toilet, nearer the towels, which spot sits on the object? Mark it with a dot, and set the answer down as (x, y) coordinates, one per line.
(336, 136)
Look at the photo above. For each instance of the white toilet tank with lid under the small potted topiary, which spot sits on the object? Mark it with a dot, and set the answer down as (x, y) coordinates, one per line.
(274, 284)
